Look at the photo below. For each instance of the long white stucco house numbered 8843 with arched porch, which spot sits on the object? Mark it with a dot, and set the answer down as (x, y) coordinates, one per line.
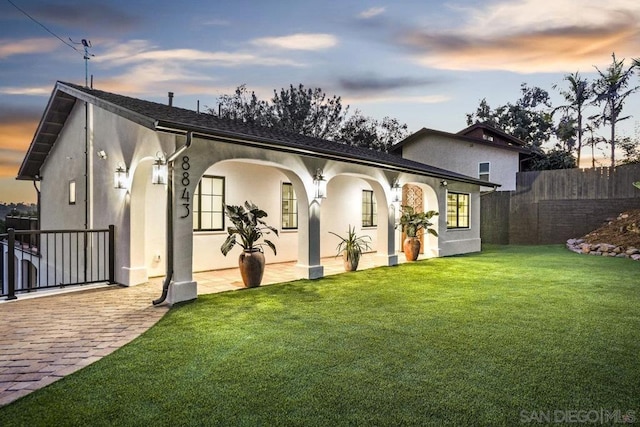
(308, 186)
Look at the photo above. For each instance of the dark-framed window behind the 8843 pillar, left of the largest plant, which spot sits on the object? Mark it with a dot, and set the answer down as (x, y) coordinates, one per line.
(208, 204)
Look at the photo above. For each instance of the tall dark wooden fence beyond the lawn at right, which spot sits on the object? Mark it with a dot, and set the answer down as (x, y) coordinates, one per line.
(553, 206)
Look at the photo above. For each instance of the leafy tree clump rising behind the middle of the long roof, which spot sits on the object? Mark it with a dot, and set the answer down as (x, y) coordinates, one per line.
(310, 112)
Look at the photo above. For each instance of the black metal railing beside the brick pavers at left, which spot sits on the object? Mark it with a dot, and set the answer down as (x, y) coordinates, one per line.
(36, 259)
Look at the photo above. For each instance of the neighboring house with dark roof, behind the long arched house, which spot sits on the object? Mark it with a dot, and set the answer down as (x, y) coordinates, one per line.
(479, 151)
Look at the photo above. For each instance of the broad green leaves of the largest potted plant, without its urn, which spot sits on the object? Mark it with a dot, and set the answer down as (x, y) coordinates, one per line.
(249, 226)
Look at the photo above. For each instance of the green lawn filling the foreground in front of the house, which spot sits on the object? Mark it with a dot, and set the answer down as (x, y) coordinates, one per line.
(505, 337)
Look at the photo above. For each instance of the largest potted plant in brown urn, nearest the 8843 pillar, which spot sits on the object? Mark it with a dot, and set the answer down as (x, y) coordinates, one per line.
(249, 226)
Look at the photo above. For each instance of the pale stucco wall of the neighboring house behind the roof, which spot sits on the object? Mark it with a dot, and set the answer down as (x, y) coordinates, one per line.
(464, 157)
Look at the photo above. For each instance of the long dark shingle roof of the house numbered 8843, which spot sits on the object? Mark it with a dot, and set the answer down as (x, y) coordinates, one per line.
(160, 116)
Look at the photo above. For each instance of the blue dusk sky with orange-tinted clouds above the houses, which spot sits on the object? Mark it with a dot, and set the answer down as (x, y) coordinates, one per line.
(426, 63)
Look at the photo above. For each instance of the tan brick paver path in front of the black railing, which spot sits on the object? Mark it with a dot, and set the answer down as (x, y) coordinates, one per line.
(43, 339)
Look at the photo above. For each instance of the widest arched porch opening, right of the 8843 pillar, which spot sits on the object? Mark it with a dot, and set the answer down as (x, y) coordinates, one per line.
(277, 191)
